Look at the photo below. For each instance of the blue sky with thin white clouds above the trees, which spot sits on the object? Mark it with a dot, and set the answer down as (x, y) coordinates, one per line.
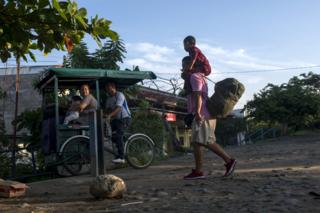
(250, 40)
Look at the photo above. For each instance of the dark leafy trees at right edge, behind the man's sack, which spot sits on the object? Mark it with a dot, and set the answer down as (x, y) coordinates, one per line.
(294, 104)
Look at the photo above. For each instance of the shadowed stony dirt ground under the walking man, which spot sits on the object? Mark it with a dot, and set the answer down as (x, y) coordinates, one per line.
(281, 175)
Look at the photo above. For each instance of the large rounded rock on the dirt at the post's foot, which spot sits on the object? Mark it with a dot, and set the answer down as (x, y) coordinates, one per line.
(108, 186)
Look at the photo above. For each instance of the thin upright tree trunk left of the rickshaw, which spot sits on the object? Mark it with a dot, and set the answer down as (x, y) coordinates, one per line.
(14, 142)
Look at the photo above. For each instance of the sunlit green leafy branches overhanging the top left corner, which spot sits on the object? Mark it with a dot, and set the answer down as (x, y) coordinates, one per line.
(46, 25)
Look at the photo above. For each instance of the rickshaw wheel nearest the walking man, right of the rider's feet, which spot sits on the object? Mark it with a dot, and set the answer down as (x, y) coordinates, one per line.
(139, 150)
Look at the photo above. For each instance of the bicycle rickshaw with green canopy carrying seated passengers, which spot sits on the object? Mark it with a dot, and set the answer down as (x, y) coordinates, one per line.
(68, 146)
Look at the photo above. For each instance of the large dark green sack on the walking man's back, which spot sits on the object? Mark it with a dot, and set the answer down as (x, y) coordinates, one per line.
(226, 95)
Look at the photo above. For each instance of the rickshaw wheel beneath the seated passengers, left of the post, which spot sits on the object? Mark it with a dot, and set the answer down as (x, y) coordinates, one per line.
(75, 155)
